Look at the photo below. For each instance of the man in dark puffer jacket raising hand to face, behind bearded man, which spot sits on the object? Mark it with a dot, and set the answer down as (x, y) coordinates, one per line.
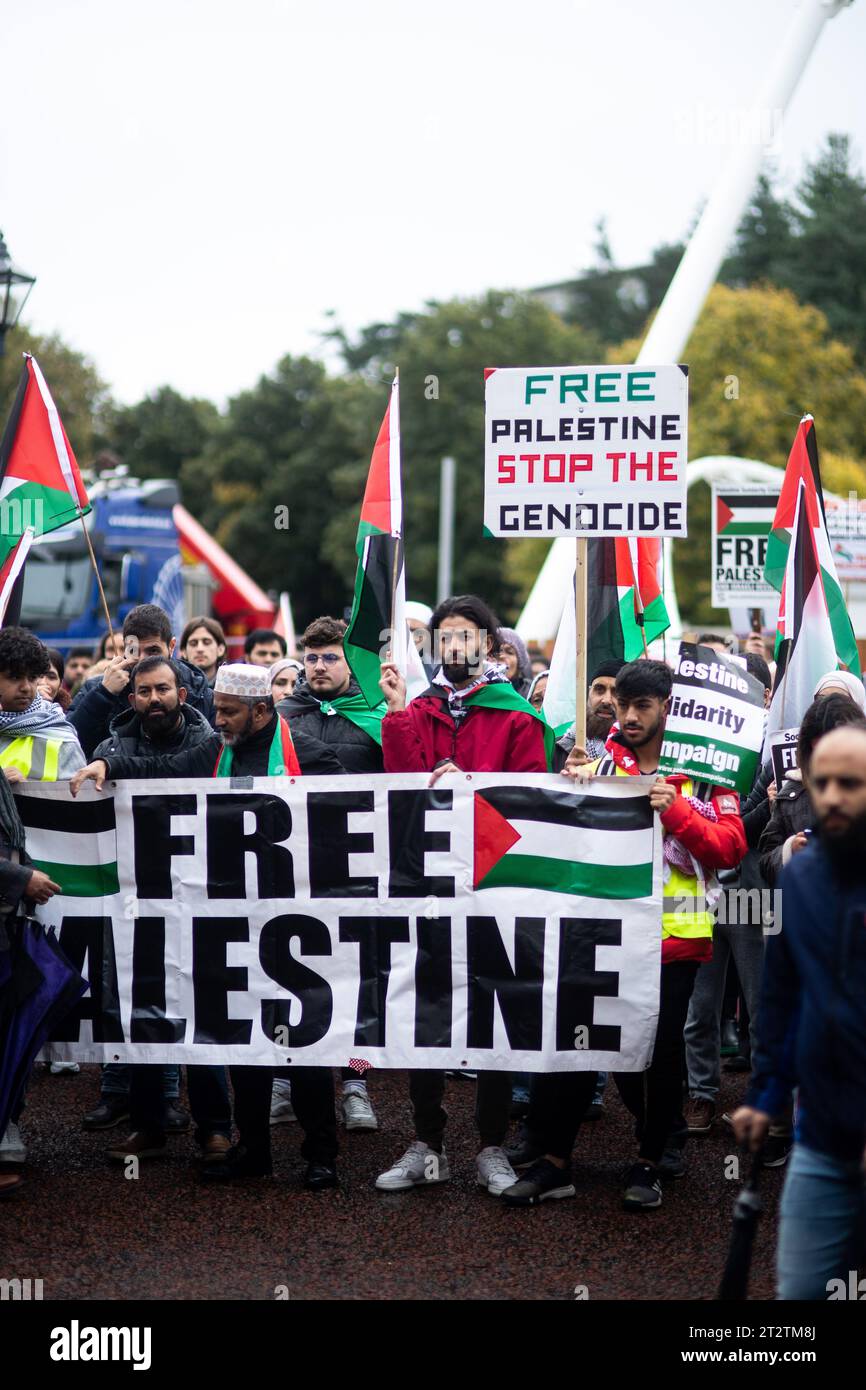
(147, 633)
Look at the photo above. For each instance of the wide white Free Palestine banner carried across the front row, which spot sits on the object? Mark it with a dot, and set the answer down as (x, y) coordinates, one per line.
(291, 922)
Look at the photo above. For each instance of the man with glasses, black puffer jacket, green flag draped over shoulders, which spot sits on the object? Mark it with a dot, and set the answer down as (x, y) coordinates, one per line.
(327, 701)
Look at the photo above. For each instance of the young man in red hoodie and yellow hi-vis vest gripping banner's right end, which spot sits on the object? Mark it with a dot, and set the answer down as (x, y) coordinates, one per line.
(700, 837)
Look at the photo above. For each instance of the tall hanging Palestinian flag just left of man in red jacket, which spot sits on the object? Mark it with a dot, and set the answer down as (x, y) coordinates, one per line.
(380, 562)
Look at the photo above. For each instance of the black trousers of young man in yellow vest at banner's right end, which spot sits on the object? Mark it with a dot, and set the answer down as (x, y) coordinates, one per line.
(655, 1097)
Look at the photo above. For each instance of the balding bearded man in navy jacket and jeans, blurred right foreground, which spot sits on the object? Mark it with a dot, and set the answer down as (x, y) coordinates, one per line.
(812, 1031)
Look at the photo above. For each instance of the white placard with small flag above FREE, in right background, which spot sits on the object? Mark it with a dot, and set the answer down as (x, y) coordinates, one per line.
(743, 519)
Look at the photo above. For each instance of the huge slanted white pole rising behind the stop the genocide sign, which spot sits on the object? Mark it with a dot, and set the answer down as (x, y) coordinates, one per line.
(697, 272)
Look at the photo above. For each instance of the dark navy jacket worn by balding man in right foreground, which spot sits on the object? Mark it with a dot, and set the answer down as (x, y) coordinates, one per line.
(812, 1022)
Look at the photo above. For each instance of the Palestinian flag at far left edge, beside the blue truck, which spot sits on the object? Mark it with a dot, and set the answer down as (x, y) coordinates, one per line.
(41, 486)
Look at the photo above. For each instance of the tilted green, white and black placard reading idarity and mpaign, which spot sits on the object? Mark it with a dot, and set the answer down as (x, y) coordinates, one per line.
(715, 728)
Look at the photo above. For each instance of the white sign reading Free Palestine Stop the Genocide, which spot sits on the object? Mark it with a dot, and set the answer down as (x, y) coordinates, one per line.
(586, 451)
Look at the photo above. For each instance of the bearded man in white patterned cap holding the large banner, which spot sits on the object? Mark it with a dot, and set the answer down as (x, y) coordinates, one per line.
(251, 742)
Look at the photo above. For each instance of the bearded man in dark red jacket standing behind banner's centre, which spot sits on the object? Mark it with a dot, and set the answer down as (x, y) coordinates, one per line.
(472, 719)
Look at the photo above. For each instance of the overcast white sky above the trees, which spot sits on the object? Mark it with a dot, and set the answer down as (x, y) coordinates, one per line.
(195, 183)
